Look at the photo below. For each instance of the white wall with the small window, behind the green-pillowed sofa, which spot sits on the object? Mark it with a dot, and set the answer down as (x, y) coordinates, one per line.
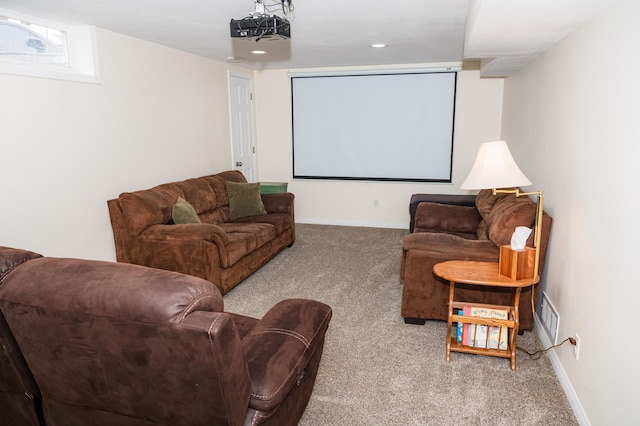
(159, 115)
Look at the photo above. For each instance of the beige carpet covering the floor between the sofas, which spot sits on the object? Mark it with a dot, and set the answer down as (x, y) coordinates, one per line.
(376, 370)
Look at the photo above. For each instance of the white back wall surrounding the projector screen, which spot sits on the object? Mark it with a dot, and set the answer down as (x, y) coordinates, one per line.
(478, 119)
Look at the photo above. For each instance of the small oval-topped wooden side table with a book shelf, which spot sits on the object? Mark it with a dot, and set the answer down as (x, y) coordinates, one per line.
(483, 274)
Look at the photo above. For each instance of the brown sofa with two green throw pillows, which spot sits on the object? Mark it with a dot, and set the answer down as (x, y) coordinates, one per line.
(219, 249)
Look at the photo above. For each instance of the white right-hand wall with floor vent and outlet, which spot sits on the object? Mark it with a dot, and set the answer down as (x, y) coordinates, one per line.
(571, 120)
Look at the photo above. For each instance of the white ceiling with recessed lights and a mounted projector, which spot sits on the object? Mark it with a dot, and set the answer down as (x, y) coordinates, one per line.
(504, 34)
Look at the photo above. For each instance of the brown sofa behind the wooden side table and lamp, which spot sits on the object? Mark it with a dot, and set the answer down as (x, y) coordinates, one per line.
(460, 232)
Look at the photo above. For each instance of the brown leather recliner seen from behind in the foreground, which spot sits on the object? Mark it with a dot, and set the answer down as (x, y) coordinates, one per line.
(117, 344)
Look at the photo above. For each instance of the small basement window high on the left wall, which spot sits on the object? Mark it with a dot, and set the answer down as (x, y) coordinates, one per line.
(38, 48)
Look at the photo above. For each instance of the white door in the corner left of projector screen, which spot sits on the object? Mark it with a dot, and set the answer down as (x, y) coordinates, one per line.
(243, 148)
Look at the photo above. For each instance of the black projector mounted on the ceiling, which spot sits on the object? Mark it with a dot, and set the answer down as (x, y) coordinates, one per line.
(261, 25)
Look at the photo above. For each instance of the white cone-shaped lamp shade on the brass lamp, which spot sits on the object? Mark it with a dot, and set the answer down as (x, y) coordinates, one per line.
(494, 168)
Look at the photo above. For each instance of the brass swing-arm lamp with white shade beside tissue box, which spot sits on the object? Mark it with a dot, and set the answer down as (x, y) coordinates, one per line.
(494, 169)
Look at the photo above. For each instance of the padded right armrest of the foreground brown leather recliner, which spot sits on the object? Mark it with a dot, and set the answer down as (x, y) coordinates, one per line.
(280, 346)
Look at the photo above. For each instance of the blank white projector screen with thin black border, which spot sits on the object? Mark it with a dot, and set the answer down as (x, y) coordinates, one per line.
(374, 127)
